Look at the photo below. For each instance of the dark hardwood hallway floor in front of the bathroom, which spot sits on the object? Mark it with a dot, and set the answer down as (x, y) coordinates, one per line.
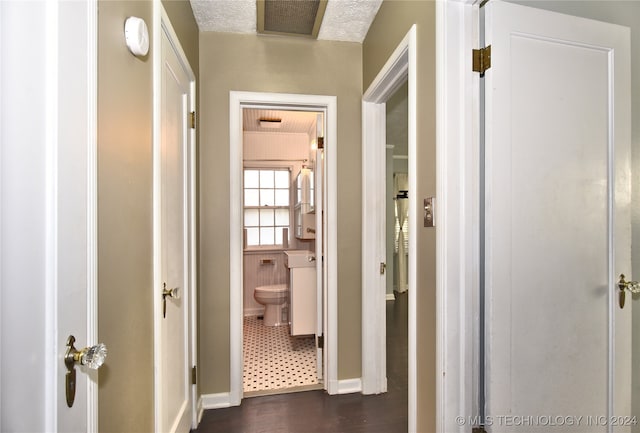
(316, 411)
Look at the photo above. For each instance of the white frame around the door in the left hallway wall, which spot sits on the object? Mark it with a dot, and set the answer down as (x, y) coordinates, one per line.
(161, 23)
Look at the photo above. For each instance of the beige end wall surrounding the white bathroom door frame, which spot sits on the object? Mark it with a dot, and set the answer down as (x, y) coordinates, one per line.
(287, 65)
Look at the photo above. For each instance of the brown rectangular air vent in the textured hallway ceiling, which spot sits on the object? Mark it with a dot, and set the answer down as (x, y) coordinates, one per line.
(291, 17)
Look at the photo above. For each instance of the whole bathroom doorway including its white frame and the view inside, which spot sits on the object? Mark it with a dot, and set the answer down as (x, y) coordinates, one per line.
(283, 269)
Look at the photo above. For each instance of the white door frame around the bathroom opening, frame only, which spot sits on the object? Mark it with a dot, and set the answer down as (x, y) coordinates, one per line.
(238, 100)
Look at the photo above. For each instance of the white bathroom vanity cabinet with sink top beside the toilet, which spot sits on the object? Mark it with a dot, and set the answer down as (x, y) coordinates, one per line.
(302, 290)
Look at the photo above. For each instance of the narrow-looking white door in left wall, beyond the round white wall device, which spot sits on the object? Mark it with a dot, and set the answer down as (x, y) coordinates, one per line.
(174, 382)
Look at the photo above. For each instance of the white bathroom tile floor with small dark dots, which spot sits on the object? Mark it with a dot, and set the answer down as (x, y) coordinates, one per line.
(273, 360)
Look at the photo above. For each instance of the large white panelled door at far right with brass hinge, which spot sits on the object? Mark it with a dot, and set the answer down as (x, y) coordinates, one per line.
(557, 222)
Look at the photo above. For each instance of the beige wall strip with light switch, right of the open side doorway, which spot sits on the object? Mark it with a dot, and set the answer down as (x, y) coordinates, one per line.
(392, 23)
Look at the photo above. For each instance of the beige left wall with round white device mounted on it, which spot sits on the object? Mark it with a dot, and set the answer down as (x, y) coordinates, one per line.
(125, 249)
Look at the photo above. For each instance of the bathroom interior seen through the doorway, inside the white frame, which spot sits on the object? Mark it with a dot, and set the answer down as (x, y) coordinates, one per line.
(282, 161)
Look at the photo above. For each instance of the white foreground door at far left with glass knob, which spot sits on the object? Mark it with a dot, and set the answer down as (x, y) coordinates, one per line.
(47, 212)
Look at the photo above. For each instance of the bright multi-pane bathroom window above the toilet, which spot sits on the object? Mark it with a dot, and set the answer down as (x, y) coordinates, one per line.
(266, 206)
